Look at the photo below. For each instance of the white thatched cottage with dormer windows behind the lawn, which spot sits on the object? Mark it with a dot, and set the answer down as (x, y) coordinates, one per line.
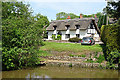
(69, 28)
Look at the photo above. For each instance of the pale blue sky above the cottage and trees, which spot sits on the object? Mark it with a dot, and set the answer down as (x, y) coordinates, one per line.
(50, 8)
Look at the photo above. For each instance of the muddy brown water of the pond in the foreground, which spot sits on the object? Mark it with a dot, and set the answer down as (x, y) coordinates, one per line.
(60, 72)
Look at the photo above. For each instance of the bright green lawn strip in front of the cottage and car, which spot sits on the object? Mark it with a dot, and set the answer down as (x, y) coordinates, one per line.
(70, 47)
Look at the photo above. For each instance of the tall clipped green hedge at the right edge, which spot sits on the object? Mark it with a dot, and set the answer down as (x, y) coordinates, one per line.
(110, 35)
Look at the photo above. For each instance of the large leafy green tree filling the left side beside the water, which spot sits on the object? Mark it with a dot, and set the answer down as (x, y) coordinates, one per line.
(21, 36)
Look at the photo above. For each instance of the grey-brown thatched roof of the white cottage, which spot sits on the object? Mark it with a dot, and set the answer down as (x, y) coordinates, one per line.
(61, 24)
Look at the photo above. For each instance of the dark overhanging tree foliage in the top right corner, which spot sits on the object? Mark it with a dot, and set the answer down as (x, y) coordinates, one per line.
(113, 9)
